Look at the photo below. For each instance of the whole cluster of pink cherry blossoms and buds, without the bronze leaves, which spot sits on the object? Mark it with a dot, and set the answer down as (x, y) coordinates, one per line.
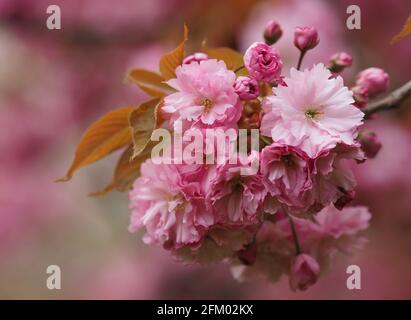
(281, 208)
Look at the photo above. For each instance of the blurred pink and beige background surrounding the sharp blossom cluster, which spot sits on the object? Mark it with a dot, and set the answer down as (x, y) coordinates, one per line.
(54, 83)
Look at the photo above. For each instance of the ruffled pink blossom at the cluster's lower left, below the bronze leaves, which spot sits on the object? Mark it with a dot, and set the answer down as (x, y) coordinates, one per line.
(168, 207)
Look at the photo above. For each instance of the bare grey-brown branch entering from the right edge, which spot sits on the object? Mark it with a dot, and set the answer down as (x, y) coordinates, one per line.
(392, 101)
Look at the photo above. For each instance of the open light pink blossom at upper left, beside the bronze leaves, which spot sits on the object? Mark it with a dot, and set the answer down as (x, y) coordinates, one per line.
(205, 96)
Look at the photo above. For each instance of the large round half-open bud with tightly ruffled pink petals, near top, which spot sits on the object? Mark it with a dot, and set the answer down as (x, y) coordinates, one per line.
(263, 62)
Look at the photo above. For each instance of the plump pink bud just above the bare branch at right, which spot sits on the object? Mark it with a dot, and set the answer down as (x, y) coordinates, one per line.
(375, 80)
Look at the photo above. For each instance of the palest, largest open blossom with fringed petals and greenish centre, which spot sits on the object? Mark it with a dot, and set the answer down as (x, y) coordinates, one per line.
(313, 112)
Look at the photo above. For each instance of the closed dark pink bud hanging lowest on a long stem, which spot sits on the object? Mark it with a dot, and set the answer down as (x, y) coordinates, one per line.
(304, 272)
